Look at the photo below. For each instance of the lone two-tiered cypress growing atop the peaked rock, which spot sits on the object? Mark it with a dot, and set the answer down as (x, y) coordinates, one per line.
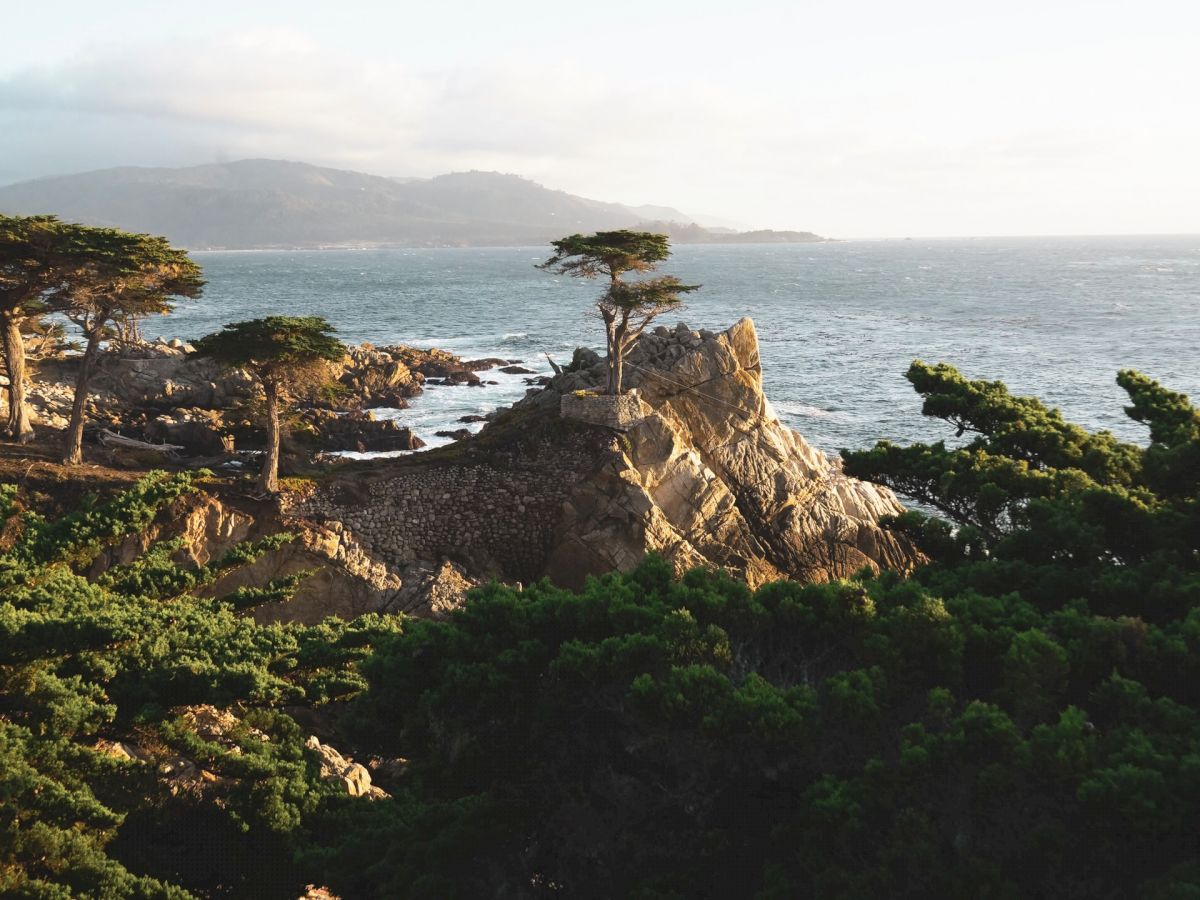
(627, 308)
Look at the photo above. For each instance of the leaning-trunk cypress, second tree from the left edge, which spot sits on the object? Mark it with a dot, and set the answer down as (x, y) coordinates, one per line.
(133, 275)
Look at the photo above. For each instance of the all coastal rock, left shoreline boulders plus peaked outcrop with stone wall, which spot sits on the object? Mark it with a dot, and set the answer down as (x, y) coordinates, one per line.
(704, 475)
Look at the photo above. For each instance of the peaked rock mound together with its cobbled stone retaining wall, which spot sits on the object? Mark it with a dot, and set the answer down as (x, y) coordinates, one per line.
(709, 477)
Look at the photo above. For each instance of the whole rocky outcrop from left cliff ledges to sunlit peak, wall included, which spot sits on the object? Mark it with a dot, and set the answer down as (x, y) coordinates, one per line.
(703, 472)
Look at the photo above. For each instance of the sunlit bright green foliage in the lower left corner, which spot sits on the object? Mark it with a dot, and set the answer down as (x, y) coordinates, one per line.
(107, 658)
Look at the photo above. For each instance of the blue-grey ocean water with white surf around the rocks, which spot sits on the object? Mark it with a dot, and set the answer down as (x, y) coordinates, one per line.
(838, 323)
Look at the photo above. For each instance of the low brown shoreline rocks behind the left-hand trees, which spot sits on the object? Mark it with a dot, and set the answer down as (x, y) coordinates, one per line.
(163, 393)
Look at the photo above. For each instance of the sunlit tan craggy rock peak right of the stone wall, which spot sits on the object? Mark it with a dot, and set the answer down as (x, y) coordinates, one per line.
(712, 477)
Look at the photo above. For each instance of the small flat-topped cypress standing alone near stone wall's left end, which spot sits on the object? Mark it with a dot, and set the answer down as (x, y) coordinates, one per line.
(285, 353)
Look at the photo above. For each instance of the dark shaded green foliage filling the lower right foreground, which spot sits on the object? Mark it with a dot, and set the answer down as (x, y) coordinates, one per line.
(1021, 718)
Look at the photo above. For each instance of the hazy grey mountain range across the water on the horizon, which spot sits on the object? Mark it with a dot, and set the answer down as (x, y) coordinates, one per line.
(272, 203)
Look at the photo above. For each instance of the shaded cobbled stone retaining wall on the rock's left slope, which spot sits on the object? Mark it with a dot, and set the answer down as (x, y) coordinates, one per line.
(496, 519)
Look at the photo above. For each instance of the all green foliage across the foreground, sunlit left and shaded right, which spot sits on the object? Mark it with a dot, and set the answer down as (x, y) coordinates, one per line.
(1018, 717)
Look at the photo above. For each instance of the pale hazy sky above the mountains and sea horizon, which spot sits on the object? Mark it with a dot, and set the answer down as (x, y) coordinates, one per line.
(853, 119)
